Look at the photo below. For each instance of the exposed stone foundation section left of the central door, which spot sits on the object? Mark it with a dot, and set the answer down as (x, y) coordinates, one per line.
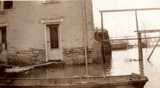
(26, 57)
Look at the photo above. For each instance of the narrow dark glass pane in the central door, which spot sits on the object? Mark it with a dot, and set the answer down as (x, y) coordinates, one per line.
(53, 29)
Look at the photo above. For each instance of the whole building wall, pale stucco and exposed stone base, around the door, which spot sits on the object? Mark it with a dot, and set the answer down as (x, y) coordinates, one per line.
(25, 30)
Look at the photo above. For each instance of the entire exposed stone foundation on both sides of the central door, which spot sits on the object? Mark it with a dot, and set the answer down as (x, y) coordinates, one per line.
(37, 56)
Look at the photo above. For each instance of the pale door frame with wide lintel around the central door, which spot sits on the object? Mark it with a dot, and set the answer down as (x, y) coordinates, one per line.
(45, 23)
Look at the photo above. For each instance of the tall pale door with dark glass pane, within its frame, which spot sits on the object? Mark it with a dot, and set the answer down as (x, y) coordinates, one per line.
(53, 42)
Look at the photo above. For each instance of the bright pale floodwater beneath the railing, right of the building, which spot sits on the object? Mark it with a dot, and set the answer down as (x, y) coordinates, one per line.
(124, 62)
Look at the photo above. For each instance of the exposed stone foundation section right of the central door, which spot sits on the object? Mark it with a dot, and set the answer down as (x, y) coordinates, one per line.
(77, 55)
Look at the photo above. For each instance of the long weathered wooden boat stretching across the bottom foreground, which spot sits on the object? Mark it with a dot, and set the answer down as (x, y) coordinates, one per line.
(127, 81)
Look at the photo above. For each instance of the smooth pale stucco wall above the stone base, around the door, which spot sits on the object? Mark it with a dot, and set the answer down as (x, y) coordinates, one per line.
(26, 30)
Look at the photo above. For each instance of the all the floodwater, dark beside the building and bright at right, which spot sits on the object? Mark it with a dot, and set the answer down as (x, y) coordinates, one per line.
(123, 62)
